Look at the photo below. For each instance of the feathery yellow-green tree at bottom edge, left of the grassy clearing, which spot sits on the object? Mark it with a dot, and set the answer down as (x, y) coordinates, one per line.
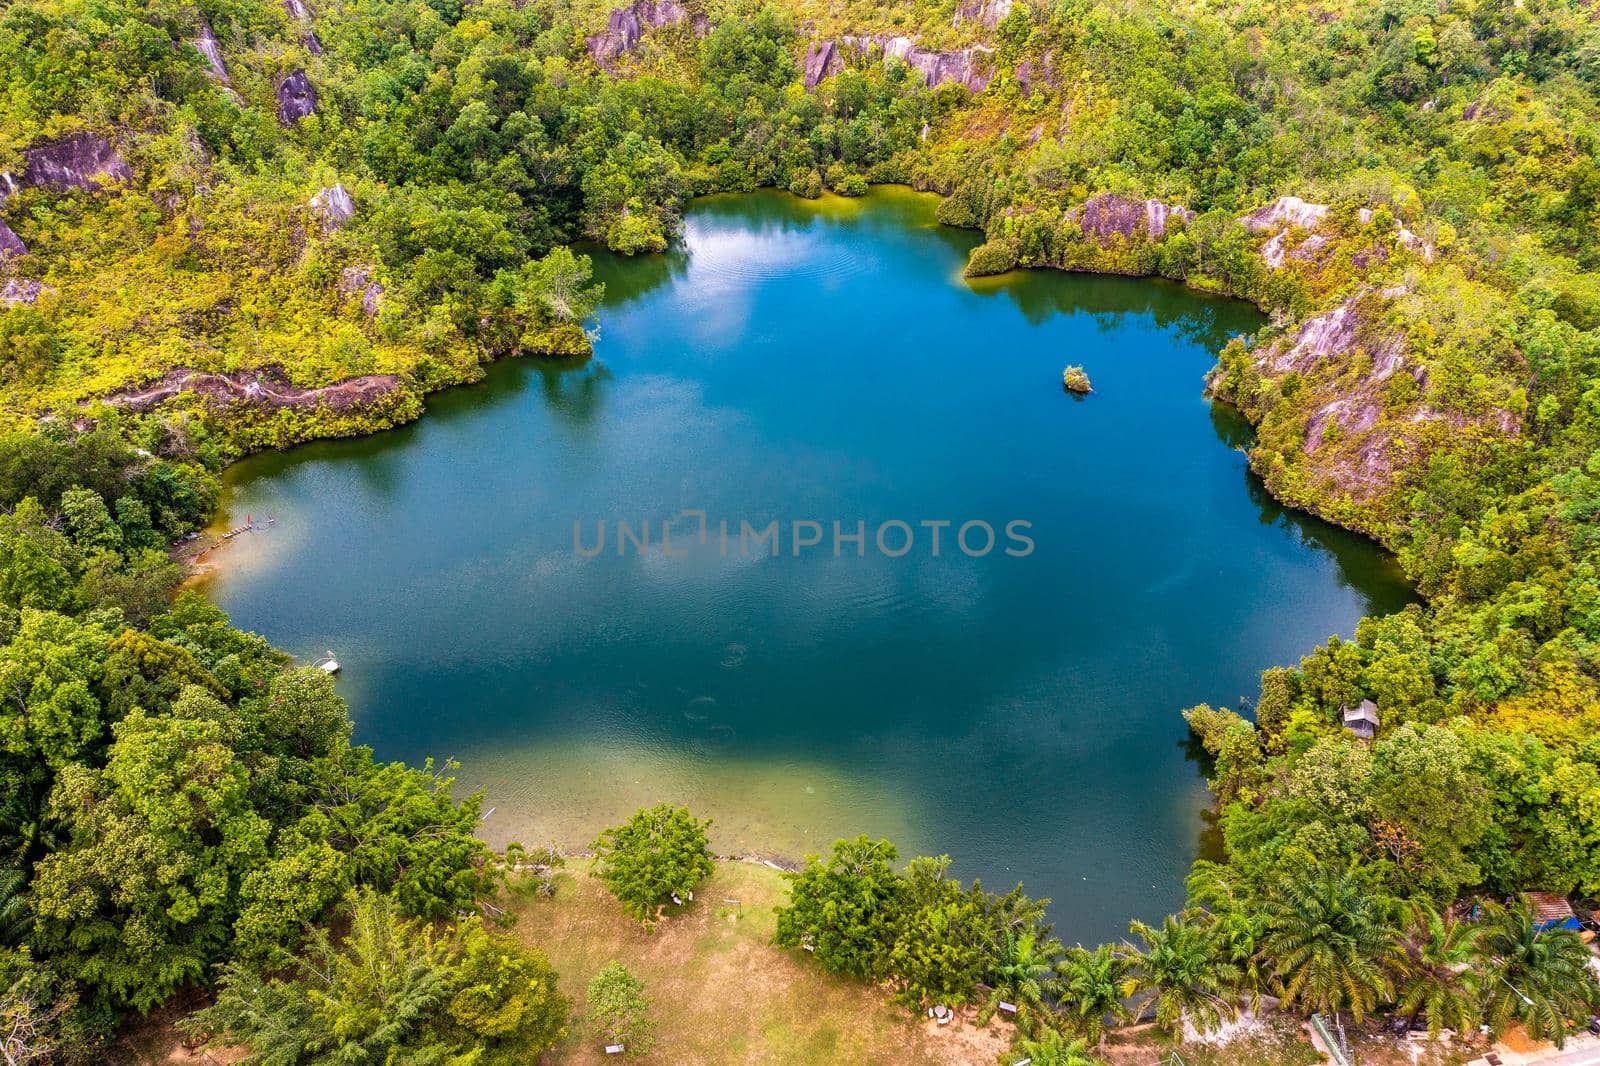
(391, 990)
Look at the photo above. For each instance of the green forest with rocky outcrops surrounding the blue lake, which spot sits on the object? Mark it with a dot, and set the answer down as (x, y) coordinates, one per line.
(238, 225)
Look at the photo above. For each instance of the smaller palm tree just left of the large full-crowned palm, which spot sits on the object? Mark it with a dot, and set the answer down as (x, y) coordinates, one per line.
(1183, 976)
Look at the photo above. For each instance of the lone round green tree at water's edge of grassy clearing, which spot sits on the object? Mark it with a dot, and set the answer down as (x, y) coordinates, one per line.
(655, 857)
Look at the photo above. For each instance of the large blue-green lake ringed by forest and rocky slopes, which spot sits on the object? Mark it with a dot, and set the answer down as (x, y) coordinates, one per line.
(820, 363)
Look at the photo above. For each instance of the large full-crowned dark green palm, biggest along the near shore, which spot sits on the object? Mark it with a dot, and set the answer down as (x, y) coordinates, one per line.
(1330, 942)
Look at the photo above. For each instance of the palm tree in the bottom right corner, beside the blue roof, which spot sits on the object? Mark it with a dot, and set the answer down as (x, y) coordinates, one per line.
(1540, 977)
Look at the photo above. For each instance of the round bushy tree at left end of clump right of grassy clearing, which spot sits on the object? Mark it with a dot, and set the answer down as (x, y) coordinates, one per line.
(846, 912)
